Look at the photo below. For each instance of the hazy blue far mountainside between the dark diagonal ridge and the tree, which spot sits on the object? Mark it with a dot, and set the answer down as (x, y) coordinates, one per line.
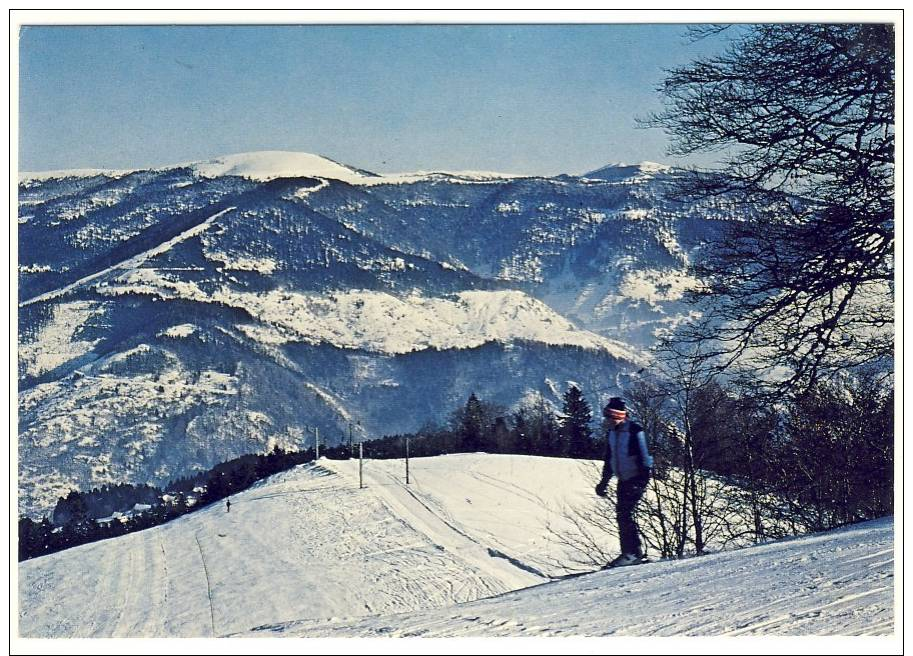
(610, 254)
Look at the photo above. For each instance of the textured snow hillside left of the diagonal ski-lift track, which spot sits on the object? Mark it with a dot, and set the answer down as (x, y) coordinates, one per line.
(306, 544)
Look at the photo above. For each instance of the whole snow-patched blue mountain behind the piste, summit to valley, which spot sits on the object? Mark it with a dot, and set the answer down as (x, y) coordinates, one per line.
(322, 295)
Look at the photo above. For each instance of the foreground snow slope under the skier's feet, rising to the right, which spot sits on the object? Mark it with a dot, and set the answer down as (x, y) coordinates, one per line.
(768, 590)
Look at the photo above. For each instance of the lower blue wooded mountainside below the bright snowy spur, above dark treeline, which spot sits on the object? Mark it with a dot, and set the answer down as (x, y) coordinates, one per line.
(160, 389)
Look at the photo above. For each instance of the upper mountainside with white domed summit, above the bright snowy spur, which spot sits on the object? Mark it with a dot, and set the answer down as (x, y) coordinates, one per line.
(609, 255)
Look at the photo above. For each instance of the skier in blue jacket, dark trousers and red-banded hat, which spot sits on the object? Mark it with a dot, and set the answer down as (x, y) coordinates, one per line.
(629, 460)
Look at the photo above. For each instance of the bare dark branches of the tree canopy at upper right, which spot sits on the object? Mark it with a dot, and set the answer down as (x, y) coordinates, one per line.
(803, 116)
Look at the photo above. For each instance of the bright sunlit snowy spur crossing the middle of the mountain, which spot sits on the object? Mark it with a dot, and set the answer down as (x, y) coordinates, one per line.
(380, 322)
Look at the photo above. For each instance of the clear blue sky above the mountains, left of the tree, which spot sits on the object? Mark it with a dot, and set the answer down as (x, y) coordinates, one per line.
(533, 99)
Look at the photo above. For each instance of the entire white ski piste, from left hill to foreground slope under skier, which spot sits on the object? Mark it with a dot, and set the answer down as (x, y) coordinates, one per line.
(467, 549)
